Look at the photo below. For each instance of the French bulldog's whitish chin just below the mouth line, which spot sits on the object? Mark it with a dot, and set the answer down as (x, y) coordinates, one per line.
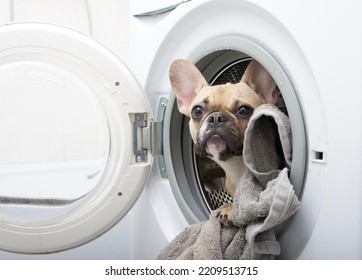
(217, 148)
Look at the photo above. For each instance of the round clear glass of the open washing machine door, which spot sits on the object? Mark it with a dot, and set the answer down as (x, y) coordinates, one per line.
(54, 142)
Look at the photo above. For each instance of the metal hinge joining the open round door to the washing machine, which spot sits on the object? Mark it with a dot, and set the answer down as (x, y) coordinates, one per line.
(148, 137)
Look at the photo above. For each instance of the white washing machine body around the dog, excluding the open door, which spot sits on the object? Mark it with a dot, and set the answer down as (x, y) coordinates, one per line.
(301, 44)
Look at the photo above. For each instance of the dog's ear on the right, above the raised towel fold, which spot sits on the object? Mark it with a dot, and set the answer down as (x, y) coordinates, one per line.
(259, 79)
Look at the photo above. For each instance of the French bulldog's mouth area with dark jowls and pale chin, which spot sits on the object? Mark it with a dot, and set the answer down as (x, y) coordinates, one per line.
(219, 147)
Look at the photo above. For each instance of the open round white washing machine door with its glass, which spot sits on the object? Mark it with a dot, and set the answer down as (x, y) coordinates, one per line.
(73, 120)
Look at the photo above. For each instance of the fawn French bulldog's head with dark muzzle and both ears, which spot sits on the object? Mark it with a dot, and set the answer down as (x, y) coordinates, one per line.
(219, 114)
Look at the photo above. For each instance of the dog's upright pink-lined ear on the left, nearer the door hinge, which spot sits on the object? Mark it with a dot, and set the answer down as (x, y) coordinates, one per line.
(186, 81)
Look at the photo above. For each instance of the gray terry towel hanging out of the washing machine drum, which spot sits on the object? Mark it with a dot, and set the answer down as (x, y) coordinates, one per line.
(264, 198)
